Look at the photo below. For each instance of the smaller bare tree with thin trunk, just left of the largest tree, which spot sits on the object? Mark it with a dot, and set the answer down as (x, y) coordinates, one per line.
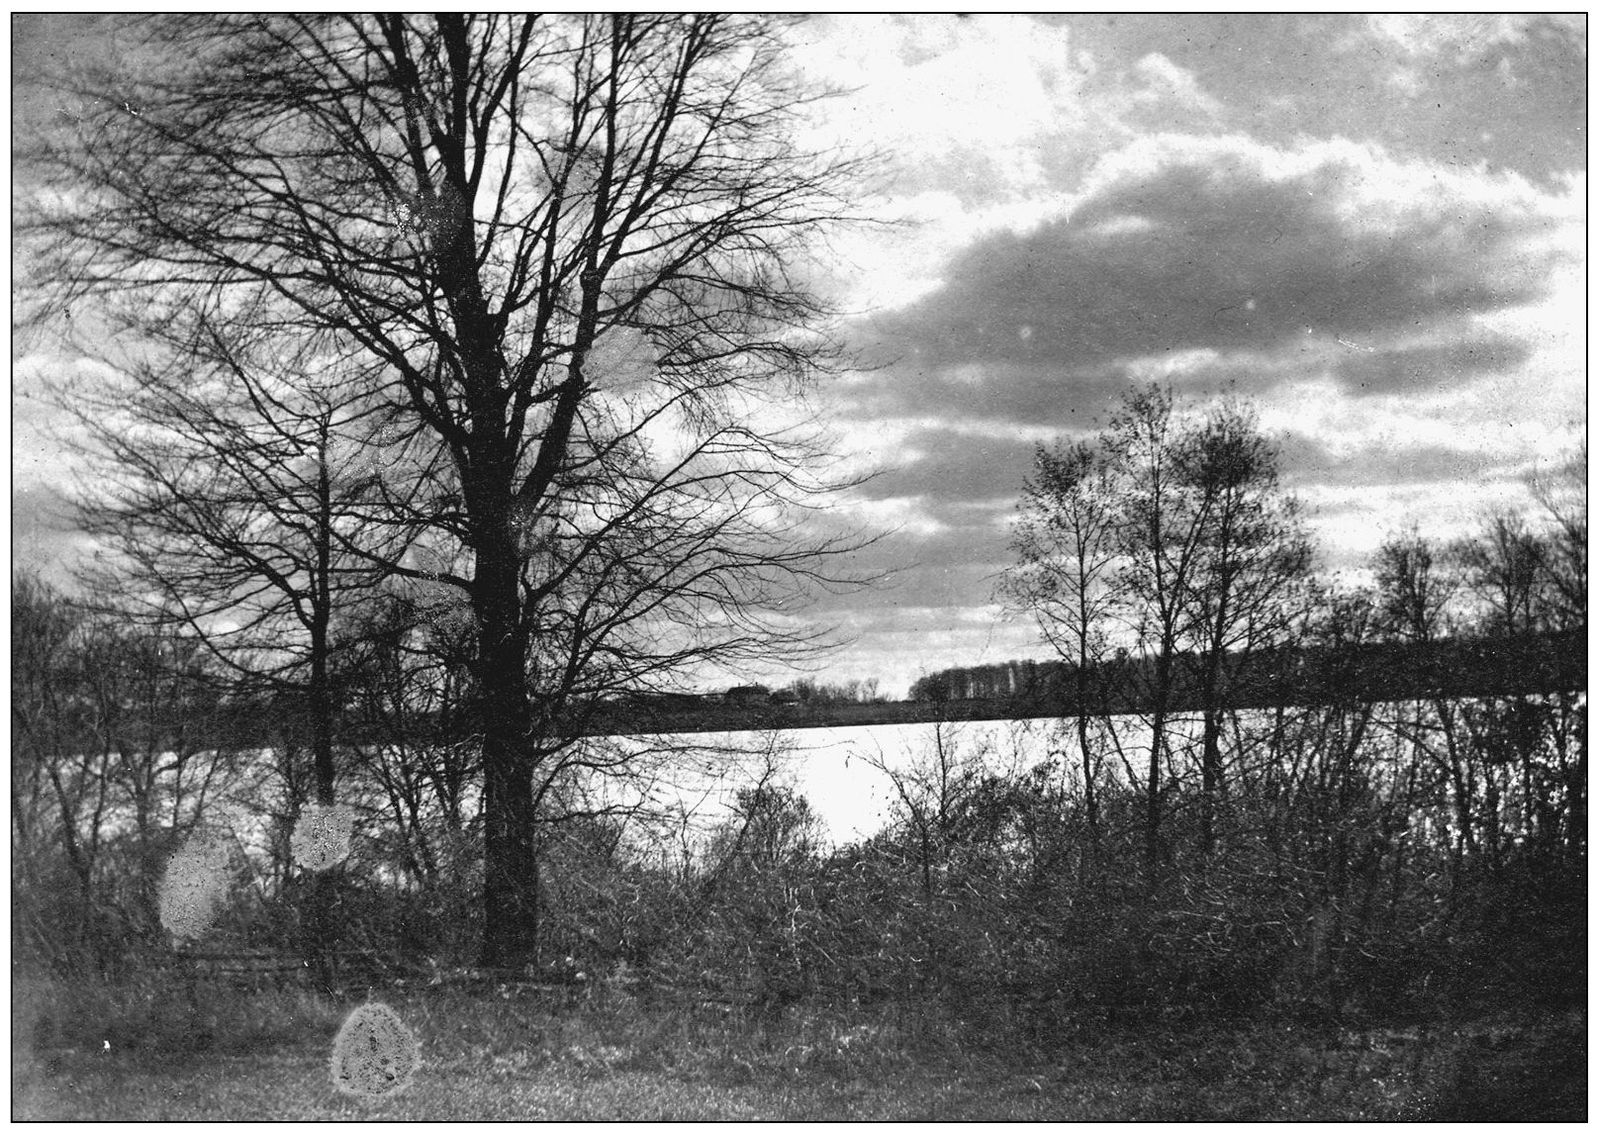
(239, 499)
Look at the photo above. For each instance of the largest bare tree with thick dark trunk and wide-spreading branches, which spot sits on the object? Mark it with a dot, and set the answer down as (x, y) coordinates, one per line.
(566, 252)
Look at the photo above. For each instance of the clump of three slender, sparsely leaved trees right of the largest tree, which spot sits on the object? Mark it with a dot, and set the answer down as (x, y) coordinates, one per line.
(1171, 530)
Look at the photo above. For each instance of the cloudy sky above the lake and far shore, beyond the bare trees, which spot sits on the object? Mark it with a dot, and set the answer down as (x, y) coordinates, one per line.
(1374, 228)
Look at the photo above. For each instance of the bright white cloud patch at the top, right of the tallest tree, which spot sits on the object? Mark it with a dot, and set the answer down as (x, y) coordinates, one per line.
(967, 114)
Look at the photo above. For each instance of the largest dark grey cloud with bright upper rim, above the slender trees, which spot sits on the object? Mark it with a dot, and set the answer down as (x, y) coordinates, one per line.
(1218, 247)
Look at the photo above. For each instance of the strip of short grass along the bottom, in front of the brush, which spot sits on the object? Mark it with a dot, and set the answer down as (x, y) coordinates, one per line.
(502, 1060)
